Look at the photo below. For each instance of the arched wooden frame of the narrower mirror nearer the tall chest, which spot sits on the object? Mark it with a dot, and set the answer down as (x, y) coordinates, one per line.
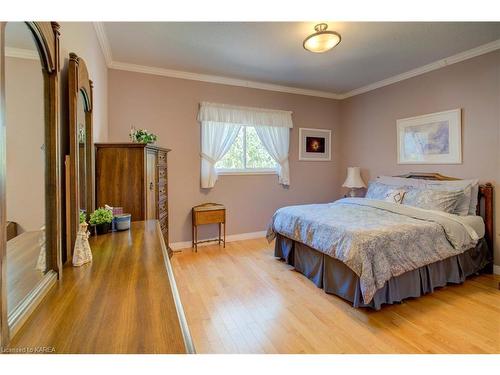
(79, 82)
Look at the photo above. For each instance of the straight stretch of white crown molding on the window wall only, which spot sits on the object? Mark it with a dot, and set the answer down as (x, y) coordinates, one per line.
(219, 79)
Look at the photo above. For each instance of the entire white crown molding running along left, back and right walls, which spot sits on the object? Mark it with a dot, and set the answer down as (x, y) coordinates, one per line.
(462, 56)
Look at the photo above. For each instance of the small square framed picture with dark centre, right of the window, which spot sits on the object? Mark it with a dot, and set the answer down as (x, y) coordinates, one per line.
(315, 144)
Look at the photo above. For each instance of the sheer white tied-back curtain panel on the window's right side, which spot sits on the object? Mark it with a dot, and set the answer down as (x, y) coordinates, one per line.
(276, 140)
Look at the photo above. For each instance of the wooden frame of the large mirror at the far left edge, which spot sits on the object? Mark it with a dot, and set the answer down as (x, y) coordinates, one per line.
(46, 37)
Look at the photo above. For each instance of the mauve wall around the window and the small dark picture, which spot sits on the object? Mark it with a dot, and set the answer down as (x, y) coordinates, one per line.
(169, 106)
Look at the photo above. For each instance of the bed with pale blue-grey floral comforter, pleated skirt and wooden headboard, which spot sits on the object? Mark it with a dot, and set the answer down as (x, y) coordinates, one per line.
(372, 253)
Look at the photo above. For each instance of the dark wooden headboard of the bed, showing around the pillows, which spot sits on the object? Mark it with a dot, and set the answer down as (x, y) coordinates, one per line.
(484, 201)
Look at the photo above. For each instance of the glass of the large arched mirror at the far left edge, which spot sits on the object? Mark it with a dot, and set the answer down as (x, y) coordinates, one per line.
(25, 175)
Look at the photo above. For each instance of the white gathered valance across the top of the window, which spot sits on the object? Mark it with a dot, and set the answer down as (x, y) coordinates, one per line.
(245, 116)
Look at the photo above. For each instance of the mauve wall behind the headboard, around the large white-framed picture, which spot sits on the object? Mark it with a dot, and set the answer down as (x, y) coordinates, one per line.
(368, 122)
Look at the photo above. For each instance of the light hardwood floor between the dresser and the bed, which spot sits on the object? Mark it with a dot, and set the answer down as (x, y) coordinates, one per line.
(242, 300)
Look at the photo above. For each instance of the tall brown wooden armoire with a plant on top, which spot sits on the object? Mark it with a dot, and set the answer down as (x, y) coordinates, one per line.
(133, 176)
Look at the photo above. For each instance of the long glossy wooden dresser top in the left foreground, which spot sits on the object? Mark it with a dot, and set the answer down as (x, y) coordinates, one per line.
(123, 302)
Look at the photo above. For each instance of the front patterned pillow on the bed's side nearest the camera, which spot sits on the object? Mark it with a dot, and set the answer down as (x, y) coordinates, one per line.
(440, 200)
